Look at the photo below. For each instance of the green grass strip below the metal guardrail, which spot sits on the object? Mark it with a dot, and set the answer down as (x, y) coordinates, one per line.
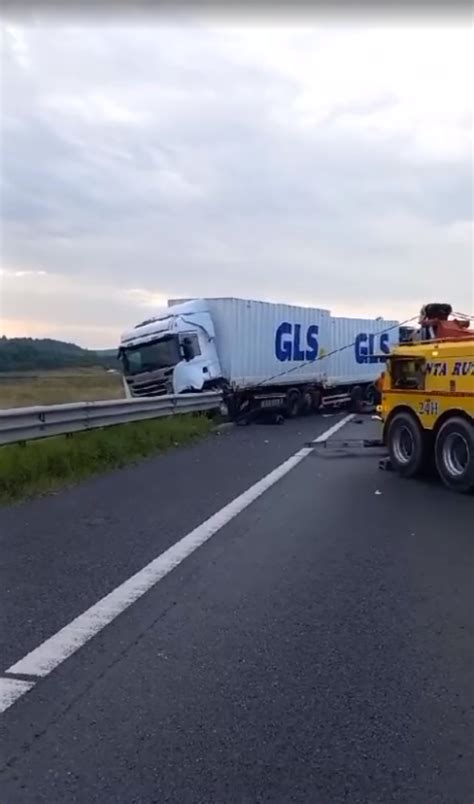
(43, 466)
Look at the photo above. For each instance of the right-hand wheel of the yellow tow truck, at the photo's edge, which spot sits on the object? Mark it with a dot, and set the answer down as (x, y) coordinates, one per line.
(454, 454)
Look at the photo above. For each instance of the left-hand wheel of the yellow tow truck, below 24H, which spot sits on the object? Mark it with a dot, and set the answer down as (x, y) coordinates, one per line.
(406, 445)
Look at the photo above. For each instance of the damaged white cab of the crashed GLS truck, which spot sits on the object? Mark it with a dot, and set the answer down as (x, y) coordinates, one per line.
(171, 353)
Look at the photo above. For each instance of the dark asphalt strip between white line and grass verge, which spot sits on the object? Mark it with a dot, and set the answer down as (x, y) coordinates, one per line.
(61, 553)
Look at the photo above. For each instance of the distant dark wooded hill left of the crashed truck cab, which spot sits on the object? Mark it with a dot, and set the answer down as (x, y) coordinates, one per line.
(31, 354)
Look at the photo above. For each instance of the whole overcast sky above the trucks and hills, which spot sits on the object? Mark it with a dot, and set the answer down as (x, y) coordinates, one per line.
(323, 164)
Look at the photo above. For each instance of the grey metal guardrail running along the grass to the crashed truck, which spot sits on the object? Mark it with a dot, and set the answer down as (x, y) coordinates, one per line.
(24, 424)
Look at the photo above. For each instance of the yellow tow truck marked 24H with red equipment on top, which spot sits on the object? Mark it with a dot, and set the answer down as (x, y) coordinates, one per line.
(427, 401)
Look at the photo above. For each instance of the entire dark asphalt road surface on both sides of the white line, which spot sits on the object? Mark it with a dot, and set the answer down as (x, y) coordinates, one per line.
(318, 648)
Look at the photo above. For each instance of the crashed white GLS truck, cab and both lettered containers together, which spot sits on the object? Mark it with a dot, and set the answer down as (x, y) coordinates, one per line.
(262, 355)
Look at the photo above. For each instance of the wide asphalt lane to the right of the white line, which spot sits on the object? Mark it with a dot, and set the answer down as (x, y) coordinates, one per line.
(317, 649)
